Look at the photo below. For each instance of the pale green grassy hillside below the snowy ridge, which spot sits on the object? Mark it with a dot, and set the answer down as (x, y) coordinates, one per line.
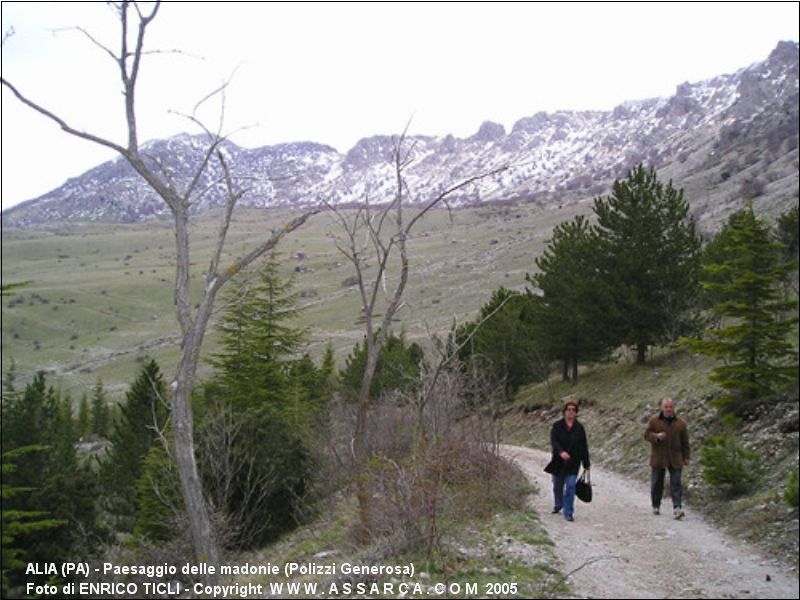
(100, 297)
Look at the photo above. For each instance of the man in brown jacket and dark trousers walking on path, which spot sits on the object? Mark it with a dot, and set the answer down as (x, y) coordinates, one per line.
(669, 449)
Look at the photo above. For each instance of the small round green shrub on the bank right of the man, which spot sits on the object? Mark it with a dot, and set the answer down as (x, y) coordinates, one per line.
(729, 466)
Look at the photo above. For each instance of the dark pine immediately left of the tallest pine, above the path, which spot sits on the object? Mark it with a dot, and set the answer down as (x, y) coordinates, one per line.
(571, 310)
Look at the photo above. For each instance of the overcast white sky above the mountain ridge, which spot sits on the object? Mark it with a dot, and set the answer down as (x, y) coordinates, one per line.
(335, 73)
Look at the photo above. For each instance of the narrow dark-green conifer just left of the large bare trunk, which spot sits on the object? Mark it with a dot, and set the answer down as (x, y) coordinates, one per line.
(143, 416)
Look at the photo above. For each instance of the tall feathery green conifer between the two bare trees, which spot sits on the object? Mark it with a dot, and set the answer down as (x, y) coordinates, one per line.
(259, 414)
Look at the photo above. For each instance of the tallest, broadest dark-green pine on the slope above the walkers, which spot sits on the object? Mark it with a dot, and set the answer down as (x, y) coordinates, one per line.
(649, 259)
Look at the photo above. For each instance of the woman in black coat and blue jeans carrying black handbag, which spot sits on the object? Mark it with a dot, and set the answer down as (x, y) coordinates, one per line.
(570, 449)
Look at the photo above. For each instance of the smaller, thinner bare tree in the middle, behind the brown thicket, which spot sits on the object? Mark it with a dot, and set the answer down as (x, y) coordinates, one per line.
(380, 233)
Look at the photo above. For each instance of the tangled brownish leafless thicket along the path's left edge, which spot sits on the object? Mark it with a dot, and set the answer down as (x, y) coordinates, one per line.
(435, 463)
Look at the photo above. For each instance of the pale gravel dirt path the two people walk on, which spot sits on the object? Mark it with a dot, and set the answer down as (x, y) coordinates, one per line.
(619, 549)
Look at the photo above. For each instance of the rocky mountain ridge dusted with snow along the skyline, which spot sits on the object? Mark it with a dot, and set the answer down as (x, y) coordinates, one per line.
(710, 126)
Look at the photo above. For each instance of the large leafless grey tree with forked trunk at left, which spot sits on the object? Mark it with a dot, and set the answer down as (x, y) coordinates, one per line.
(134, 19)
